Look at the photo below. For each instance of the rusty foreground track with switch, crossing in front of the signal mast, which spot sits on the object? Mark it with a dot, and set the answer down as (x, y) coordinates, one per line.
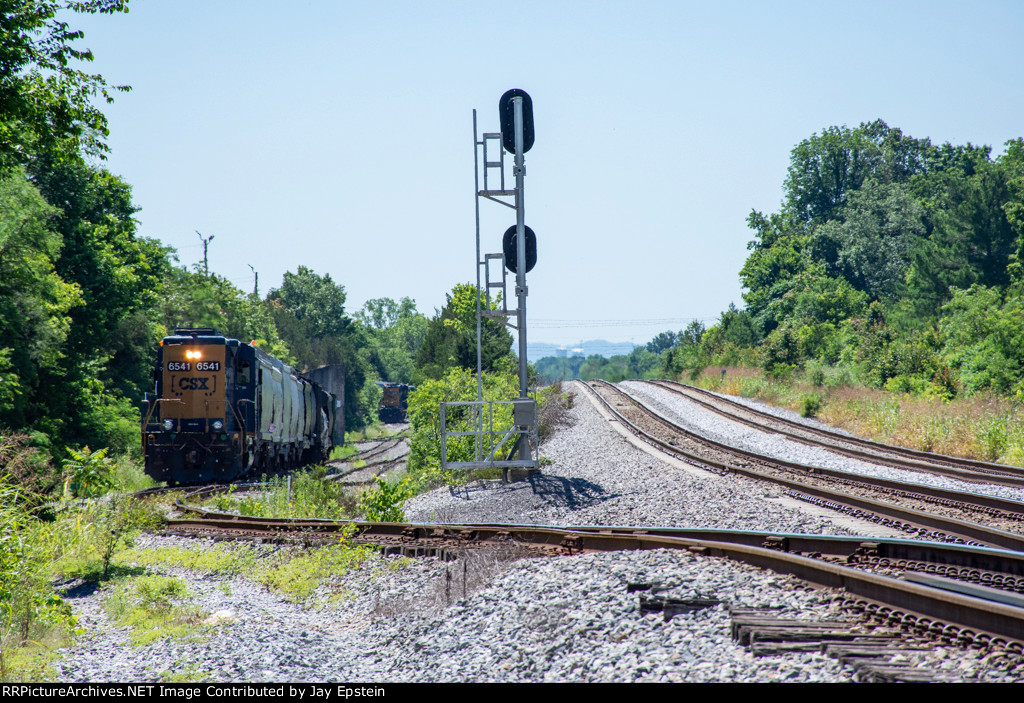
(960, 595)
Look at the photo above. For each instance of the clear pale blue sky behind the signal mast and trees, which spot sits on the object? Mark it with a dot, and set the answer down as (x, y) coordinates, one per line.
(338, 136)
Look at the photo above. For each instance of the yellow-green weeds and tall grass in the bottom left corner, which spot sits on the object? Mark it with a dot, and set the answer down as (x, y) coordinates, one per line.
(46, 539)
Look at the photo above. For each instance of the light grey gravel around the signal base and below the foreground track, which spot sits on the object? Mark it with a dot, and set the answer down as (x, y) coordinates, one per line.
(566, 620)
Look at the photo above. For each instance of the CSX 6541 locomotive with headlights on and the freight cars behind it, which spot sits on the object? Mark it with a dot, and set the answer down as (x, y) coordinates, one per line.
(225, 409)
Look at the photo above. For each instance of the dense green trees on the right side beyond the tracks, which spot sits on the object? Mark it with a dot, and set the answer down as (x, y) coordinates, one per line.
(895, 259)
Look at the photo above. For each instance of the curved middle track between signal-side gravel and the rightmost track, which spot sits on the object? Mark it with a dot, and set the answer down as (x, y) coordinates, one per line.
(911, 508)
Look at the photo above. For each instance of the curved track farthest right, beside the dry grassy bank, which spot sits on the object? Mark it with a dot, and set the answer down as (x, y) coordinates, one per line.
(856, 448)
